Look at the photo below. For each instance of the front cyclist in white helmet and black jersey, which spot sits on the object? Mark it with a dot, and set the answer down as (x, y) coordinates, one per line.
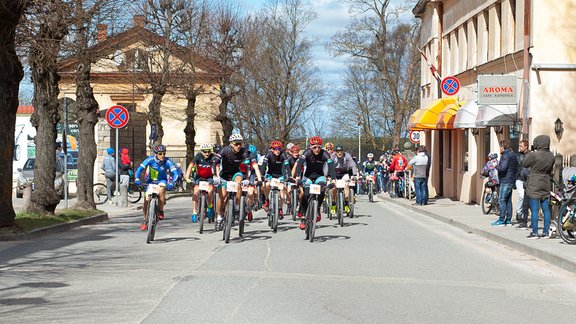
(230, 165)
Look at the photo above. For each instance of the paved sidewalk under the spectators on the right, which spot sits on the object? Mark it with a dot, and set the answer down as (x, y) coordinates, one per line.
(471, 219)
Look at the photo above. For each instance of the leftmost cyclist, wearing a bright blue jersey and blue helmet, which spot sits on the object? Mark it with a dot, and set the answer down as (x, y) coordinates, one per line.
(158, 166)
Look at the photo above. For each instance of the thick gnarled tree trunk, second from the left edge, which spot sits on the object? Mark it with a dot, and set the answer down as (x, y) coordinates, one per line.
(49, 22)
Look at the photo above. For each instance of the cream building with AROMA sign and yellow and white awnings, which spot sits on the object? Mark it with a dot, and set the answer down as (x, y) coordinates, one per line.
(513, 83)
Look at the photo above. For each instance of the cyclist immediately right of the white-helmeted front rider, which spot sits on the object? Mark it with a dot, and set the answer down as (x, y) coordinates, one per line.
(273, 166)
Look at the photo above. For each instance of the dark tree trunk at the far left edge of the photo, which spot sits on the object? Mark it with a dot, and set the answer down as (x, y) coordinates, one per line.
(11, 73)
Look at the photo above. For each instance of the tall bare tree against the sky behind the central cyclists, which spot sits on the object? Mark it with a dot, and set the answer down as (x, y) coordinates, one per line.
(278, 79)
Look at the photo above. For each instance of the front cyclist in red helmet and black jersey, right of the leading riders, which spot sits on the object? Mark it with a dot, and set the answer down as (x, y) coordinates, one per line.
(314, 158)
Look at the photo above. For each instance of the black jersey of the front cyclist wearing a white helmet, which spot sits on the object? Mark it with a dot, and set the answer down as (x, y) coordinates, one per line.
(232, 162)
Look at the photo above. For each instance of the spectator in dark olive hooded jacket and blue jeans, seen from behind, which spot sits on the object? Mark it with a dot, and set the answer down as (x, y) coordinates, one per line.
(541, 164)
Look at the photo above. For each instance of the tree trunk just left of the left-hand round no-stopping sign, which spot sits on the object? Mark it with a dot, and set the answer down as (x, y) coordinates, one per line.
(87, 119)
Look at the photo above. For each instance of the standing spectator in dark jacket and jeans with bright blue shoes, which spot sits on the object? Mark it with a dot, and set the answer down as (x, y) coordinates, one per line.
(507, 170)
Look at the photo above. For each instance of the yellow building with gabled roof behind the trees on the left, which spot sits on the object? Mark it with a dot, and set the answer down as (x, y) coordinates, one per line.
(118, 78)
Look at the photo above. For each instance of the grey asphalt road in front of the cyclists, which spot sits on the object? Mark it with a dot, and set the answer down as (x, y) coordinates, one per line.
(389, 265)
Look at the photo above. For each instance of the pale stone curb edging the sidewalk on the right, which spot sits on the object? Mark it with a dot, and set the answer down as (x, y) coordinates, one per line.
(541, 254)
